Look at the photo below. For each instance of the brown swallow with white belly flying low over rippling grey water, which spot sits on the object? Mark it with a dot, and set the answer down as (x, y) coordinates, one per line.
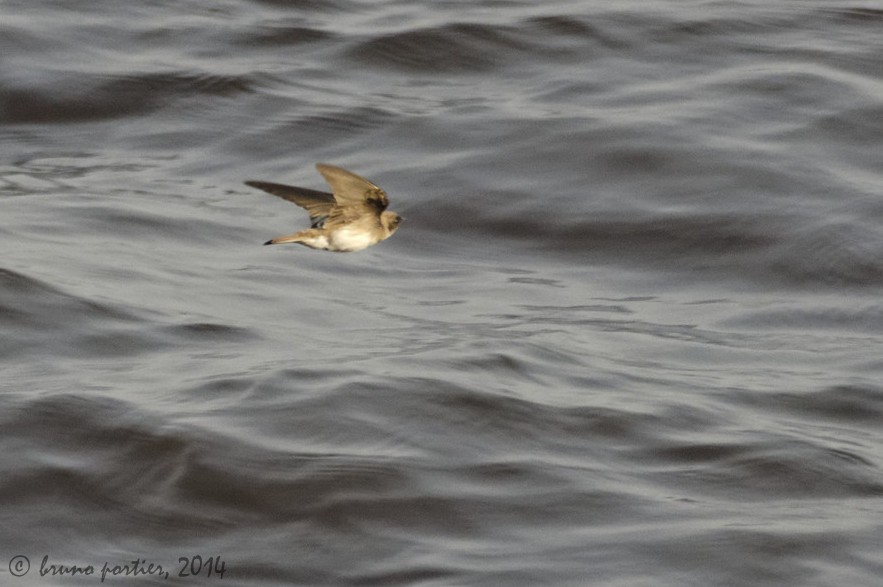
(351, 218)
